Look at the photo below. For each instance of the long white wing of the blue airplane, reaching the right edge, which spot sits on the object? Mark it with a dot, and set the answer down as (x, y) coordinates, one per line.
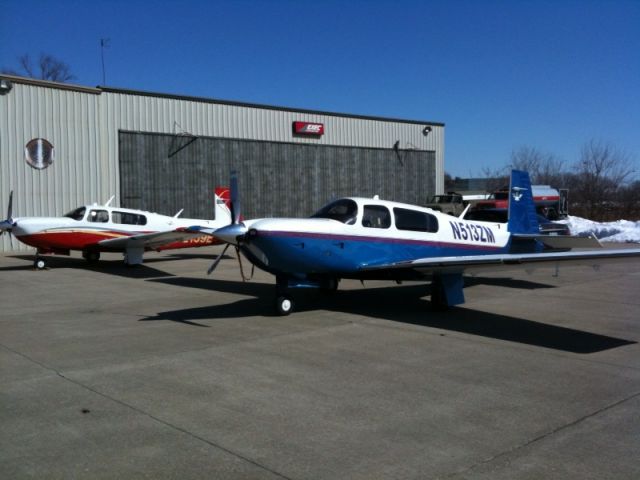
(485, 263)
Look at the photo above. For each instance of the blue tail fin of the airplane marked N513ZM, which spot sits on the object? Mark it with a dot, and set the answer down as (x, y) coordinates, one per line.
(522, 211)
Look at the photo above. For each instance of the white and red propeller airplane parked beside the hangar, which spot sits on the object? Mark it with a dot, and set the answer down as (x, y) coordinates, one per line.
(95, 228)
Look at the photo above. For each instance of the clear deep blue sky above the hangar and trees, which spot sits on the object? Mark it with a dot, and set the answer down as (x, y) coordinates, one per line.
(501, 75)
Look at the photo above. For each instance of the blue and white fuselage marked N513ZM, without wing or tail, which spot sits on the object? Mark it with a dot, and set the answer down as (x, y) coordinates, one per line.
(378, 232)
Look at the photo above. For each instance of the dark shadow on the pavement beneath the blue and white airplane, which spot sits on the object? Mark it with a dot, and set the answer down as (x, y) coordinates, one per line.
(403, 304)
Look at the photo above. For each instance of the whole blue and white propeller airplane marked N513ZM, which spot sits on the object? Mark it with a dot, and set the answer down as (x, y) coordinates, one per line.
(373, 239)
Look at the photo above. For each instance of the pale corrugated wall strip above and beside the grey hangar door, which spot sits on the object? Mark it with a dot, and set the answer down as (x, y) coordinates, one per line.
(134, 111)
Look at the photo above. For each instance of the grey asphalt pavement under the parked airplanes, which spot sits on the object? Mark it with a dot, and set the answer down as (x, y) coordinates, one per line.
(161, 372)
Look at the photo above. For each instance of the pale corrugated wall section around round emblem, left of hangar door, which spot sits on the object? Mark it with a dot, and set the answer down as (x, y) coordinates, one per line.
(67, 119)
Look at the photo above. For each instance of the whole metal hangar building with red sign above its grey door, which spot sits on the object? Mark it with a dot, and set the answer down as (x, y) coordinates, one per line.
(65, 145)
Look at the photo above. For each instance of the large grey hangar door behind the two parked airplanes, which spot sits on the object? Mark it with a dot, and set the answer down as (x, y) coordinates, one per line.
(164, 173)
